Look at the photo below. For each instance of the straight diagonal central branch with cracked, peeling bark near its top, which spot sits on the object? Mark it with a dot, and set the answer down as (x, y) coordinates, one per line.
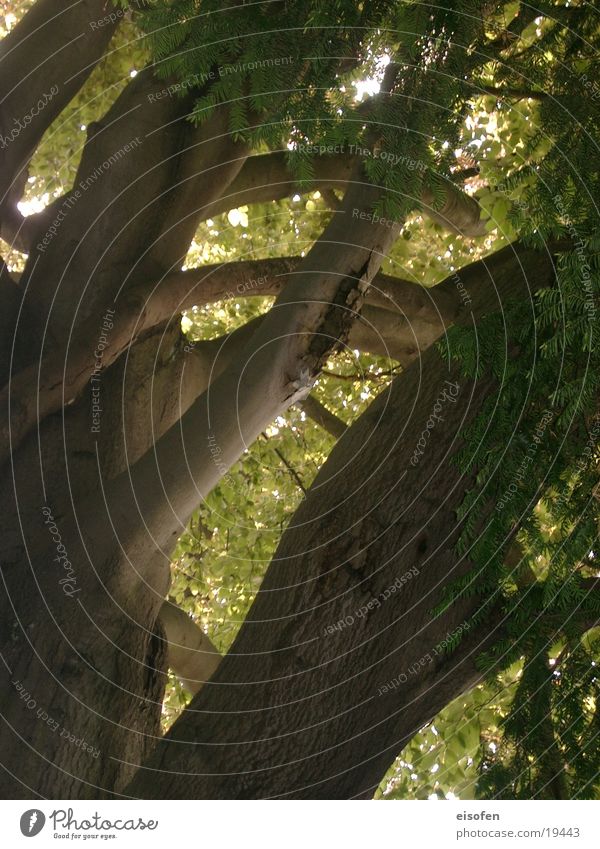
(276, 369)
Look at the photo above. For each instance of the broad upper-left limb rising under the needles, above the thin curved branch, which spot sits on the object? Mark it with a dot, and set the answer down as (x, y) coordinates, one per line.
(143, 178)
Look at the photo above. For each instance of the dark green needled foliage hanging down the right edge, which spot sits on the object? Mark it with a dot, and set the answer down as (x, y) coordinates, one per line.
(535, 445)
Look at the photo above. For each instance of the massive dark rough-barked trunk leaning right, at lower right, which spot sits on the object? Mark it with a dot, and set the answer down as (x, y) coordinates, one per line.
(335, 667)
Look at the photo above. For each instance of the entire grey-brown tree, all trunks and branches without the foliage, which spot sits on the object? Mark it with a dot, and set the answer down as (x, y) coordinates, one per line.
(90, 508)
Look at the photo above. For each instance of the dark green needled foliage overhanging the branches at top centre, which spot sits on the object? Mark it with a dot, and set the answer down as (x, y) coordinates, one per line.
(288, 75)
